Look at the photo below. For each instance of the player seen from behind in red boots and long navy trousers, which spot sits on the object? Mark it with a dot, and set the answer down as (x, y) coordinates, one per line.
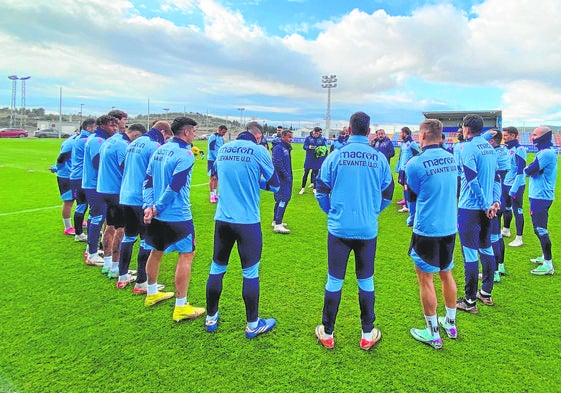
(352, 224)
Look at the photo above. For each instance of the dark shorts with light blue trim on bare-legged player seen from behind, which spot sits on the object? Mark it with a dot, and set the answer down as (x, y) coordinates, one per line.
(432, 254)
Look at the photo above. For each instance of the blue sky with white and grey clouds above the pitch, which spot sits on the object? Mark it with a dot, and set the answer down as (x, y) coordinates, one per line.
(392, 59)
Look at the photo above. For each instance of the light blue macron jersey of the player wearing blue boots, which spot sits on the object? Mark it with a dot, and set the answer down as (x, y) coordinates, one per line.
(243, 167)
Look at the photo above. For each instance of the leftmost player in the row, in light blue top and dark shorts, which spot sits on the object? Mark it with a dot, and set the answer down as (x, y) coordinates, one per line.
(62, 169)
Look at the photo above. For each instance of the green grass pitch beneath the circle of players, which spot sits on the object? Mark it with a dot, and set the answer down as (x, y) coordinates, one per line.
(65, 328)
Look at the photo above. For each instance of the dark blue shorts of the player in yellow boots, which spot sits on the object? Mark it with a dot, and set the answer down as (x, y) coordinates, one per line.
(170, 236)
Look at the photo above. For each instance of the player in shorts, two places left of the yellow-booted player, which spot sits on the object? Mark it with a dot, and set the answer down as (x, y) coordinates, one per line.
(111, 163)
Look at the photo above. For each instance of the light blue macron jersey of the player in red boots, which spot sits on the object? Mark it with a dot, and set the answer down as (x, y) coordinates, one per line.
(351, 186)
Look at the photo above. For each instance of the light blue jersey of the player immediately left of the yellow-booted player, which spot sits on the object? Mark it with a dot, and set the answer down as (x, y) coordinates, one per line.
(137, 158)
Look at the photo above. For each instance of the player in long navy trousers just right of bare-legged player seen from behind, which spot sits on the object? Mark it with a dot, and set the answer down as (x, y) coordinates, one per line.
(478, 204)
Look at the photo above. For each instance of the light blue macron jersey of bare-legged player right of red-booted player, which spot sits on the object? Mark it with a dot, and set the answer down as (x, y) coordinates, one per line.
(431, 177)
